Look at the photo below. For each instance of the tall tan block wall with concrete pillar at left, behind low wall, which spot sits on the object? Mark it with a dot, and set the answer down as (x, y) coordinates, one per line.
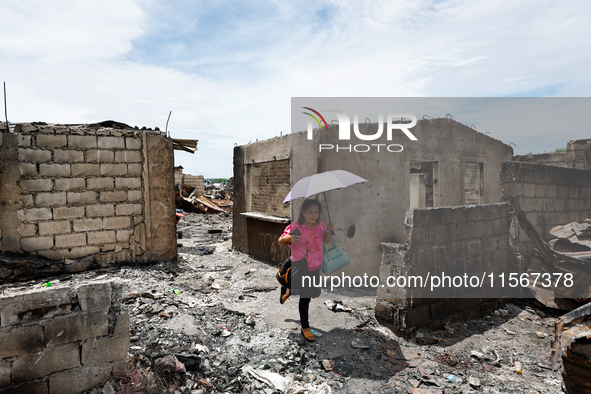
(69, 193)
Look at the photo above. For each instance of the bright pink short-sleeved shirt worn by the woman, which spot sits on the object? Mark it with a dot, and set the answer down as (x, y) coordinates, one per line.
(300, 248)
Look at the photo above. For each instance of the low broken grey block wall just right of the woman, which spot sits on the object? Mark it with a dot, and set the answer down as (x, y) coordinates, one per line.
(452, 240)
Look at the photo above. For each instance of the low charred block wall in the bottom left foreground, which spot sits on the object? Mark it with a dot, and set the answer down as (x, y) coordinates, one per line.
(62, 339)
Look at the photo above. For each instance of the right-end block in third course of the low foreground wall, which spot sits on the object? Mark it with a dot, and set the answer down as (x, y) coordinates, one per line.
(105, 350)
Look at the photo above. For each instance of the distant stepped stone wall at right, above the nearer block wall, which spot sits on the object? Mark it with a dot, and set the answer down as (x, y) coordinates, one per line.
(577, 155)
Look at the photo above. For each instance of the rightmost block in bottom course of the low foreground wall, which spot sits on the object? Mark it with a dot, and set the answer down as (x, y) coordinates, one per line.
(79, 380)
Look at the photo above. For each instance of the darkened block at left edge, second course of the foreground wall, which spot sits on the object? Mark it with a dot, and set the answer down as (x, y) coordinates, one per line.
(20, 340)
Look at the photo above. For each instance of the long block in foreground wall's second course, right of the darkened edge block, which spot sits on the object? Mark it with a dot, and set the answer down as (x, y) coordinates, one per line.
(76, 327)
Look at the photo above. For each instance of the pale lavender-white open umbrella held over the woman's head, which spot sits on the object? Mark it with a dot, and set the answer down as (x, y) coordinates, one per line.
(321, 183)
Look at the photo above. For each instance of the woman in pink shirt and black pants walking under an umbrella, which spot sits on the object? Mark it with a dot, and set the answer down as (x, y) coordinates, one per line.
(305, 237)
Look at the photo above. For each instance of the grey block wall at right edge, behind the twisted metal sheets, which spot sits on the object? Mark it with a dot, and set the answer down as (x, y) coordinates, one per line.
(549, 195)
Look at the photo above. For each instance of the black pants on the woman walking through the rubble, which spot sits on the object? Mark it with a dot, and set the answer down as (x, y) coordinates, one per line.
(306, 289)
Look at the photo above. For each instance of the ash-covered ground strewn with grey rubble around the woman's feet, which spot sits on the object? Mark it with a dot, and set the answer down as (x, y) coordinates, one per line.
(217, 312)
